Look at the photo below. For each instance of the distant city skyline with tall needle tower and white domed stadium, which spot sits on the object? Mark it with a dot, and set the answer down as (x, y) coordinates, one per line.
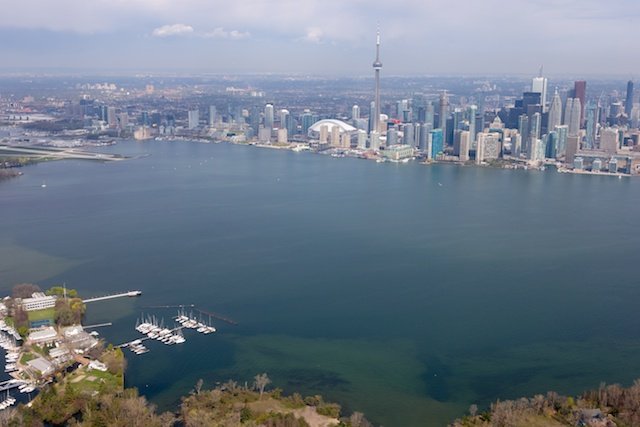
(502, 122)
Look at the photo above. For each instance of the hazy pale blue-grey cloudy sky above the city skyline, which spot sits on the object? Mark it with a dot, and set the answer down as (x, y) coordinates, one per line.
(322, 37)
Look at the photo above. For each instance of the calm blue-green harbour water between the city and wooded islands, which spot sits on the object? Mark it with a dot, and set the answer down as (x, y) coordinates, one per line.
(407, 292)
